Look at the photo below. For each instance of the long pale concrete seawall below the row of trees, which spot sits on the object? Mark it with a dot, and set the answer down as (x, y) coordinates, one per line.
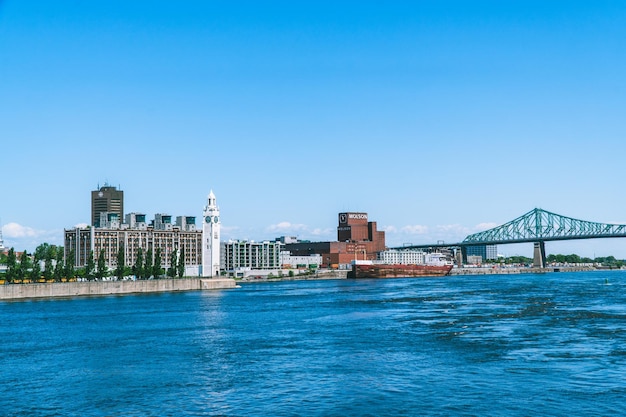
(77, 289)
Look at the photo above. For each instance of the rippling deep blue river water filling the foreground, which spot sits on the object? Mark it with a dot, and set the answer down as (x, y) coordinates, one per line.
(500, 345)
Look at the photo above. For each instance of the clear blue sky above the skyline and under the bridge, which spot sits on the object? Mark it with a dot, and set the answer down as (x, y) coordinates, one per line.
(438, 118)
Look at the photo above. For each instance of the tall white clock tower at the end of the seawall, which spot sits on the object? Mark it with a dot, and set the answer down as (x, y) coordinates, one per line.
(211, 238)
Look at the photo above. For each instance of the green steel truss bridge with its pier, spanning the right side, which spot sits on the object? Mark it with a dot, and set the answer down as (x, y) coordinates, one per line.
(537, 226)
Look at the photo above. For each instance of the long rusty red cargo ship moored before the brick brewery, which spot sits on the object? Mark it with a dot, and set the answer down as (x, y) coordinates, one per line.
(372, 269)
